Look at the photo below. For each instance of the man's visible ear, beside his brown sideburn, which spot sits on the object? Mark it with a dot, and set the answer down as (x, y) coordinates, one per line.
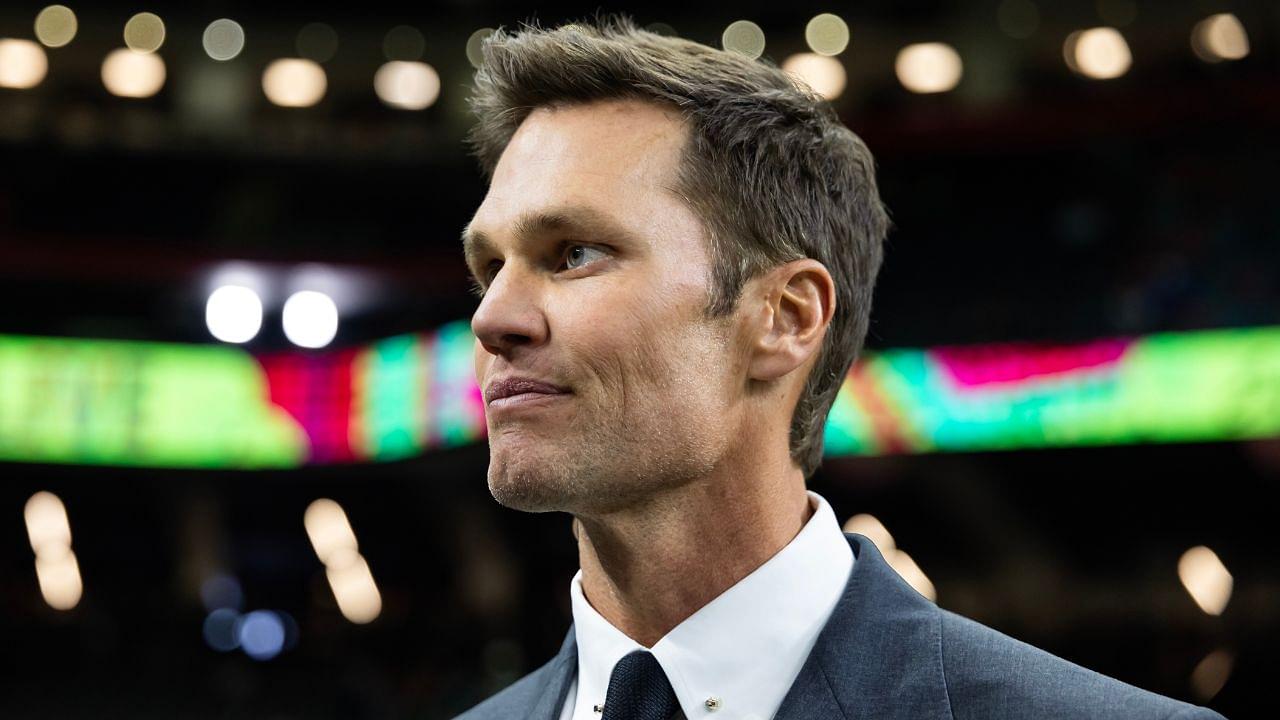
(799, 303)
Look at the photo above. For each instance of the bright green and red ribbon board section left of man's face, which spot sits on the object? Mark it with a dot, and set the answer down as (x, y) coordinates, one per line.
(218, 407)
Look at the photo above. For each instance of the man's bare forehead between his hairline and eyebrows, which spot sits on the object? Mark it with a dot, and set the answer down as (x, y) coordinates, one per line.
(618, 160)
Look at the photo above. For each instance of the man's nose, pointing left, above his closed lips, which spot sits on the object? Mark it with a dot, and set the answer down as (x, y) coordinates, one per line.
(510, 316)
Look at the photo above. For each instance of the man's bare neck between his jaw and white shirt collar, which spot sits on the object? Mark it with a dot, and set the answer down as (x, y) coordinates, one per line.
(647, 569)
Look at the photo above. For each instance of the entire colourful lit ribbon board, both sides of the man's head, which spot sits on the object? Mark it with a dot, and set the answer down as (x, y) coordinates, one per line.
(217, 407)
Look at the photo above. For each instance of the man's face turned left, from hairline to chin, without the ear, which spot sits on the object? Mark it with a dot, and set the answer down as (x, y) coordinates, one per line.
(597, 280)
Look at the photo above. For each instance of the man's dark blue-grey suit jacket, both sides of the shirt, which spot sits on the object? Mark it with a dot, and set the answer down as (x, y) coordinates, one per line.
(888, 654)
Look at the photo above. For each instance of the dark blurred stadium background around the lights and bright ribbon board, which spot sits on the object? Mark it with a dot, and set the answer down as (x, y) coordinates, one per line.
(1031, 203)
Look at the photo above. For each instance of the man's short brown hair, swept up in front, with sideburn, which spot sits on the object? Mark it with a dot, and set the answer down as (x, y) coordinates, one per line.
(770, 168)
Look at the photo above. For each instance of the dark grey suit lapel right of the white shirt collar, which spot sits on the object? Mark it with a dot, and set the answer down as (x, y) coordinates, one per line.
(880, 657)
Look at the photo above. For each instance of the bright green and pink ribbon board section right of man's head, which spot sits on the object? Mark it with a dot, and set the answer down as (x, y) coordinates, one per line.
(1172, 388)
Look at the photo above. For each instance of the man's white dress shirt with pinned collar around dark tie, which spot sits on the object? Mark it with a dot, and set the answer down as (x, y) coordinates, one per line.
(737, 658)
